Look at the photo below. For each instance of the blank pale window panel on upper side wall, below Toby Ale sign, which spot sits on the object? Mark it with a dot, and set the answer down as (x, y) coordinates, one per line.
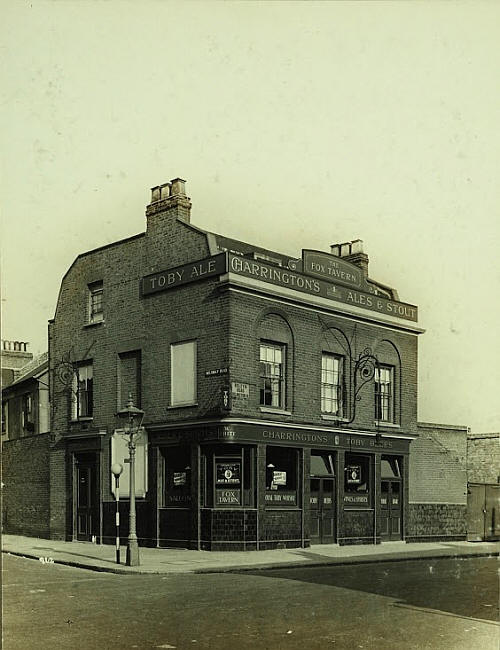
(185, 395)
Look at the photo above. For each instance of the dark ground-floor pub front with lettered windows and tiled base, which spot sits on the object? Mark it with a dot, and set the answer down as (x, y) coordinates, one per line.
(249, 486)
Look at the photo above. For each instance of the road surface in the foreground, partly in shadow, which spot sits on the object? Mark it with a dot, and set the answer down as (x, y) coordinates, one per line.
(441, 604)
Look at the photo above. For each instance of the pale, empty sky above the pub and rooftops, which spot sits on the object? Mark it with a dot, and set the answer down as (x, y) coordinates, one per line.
(296, 125)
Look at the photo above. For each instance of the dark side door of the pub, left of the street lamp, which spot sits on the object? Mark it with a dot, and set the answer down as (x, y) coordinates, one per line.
(86, 498)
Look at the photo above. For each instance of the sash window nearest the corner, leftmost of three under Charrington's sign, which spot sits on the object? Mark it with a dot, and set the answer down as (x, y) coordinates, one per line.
(272, 356)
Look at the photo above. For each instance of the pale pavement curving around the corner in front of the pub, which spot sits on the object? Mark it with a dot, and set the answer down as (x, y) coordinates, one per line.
(102, 557)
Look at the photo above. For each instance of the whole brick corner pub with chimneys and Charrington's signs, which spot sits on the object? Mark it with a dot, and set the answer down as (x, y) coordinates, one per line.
(280, 393)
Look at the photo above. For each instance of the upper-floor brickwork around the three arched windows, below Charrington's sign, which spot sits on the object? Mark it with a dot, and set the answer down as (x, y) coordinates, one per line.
(251, 319)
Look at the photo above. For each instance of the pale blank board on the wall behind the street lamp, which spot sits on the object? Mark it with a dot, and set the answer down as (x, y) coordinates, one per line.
(120, 454)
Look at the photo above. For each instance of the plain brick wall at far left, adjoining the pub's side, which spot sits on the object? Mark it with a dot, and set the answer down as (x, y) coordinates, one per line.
(25, 494)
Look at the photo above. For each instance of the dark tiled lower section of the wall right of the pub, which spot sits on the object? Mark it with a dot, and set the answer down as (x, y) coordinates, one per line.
(430, 522)
